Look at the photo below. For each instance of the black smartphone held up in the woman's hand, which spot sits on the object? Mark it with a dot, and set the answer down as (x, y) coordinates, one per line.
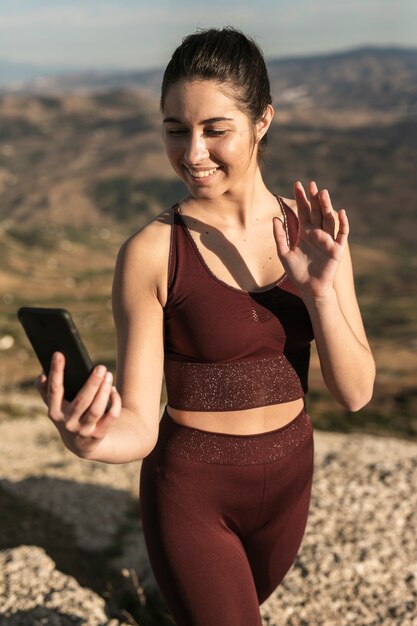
(53, 330)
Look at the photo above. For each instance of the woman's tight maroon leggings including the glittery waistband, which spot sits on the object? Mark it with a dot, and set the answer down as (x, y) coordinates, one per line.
(223, 517)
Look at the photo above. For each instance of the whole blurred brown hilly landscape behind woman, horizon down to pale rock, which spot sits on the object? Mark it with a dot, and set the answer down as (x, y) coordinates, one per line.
(82, 165)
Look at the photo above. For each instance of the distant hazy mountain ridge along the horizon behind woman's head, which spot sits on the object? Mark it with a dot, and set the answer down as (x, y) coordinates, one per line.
(381, 78)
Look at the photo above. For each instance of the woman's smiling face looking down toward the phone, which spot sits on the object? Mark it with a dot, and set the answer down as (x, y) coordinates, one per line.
(210, 143)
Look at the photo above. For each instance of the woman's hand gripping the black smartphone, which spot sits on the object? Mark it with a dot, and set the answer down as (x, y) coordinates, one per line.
(84, 422)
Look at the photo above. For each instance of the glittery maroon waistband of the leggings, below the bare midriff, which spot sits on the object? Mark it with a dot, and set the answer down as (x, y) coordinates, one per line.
(224, 449)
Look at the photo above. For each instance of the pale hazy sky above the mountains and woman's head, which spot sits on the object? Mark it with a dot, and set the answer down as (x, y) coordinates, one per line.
(138, 33)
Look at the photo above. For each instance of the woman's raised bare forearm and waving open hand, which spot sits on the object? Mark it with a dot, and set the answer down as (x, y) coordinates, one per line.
(320, 266)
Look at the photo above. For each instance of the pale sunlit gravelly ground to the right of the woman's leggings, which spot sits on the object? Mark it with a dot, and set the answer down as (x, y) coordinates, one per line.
(358, 561)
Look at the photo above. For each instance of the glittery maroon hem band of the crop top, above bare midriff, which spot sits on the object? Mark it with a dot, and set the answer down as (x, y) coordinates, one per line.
(231, 386)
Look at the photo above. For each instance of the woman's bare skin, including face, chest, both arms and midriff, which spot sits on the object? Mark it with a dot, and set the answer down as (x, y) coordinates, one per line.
(213, 147)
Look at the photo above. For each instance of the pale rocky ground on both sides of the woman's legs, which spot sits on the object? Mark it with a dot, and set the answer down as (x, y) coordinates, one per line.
(72, 553)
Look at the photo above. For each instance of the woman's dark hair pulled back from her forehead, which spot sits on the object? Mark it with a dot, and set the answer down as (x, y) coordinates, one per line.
(226, 56)
